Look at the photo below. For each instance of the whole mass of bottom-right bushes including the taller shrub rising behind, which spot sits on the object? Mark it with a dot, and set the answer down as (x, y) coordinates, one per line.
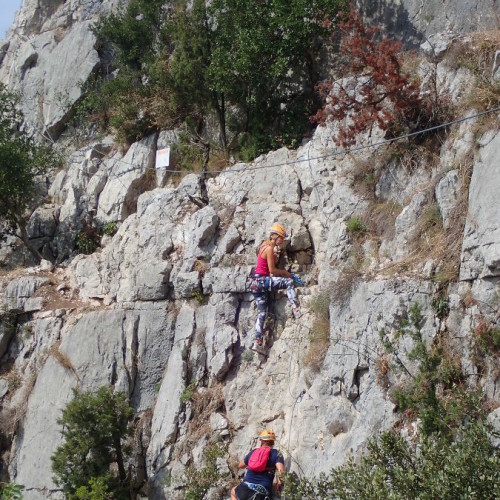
(451, 456)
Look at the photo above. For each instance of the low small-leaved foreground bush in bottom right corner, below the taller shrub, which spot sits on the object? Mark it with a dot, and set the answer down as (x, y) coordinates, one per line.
(395, 468)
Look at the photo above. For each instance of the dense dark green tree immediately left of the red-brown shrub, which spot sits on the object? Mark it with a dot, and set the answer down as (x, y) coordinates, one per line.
(258, 57)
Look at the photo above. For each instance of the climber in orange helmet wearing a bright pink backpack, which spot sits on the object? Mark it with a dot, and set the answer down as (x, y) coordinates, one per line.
(262, 463)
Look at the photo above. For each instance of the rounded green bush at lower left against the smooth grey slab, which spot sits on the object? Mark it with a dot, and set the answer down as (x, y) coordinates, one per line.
(94, 426)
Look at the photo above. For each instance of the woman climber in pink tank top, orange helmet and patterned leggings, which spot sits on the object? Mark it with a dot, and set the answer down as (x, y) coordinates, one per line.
(268, 277)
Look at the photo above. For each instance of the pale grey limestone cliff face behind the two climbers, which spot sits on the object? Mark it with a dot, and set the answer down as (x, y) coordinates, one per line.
(163, 307)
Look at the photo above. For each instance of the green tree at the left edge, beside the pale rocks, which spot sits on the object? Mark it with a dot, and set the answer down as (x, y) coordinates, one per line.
(23, 162)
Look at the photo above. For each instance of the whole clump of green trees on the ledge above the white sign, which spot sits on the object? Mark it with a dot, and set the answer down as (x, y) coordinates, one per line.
(252, 64)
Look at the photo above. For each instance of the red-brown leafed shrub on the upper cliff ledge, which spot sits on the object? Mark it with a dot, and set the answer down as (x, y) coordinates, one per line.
(376, 90)
